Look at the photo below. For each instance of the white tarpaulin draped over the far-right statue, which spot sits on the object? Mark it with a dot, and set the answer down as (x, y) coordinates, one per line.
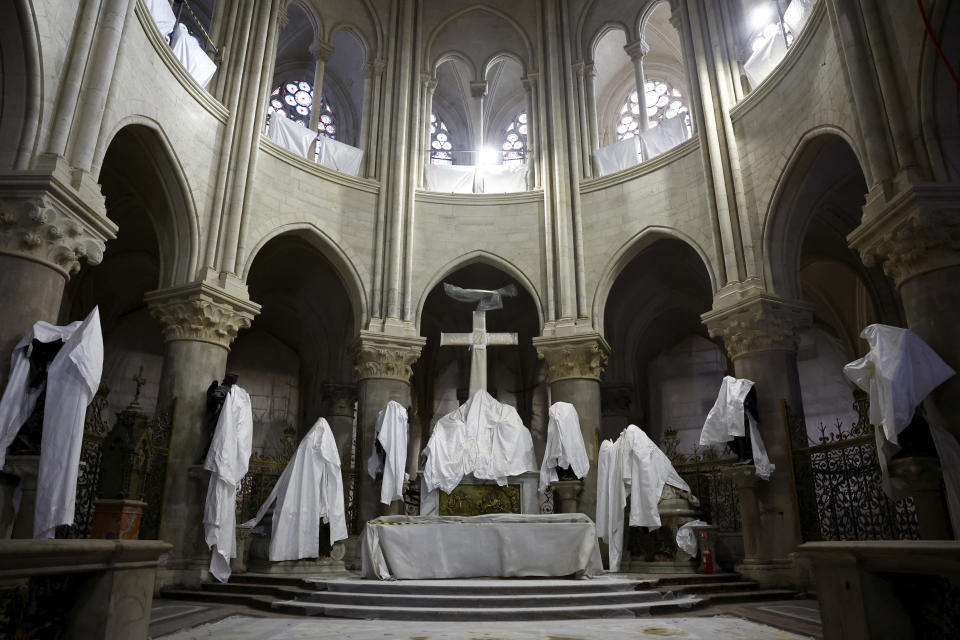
(898, 372)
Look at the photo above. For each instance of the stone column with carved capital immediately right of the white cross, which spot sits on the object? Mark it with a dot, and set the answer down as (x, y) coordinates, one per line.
(574, 366)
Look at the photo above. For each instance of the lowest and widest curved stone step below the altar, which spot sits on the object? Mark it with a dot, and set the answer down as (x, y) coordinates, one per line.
(475, 613)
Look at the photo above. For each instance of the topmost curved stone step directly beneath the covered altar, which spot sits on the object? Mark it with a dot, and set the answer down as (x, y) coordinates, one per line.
(502, 587)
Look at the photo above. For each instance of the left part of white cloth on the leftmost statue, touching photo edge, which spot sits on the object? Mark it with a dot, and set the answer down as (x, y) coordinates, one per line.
(19, 399)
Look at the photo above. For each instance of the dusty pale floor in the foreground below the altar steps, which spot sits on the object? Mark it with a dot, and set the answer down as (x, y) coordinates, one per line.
(777, 620)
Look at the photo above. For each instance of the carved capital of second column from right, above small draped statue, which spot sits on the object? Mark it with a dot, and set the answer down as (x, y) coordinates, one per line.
(759, 323)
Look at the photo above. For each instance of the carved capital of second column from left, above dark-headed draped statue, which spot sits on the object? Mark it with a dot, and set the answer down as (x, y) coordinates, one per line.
(201, 312)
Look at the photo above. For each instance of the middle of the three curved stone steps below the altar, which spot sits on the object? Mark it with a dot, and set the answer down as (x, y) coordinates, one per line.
(498, 601)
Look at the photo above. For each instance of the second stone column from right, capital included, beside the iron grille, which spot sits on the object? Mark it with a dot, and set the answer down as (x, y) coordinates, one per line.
(761, 334)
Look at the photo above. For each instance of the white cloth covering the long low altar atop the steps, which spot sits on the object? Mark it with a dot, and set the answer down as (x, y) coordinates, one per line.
(504, 545)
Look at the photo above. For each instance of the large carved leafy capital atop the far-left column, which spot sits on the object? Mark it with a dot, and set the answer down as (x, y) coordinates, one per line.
(43, 219)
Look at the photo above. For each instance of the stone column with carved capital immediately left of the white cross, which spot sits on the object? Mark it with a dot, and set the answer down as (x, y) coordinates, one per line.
(383, 374)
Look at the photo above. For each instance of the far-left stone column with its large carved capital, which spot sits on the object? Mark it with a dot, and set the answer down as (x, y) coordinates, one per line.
(46, 231)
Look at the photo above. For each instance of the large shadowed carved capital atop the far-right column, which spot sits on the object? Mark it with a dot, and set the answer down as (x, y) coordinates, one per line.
(914, 232)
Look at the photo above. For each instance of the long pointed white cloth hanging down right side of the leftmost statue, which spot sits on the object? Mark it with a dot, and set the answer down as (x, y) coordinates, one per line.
(72, 380)
